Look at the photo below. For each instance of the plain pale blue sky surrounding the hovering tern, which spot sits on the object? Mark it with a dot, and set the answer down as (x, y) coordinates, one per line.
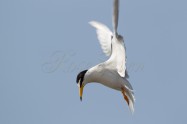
(44, 44)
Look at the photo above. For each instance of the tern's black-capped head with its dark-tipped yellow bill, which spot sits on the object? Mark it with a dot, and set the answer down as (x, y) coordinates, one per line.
(80, 82)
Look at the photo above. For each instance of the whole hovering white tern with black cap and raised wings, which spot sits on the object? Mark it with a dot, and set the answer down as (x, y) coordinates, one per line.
(111, 73)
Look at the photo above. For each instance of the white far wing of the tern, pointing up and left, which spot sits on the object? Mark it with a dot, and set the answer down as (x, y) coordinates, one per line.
(104, 36)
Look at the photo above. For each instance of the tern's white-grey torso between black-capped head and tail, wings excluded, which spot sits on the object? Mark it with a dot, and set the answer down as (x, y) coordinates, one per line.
(103, 74)
